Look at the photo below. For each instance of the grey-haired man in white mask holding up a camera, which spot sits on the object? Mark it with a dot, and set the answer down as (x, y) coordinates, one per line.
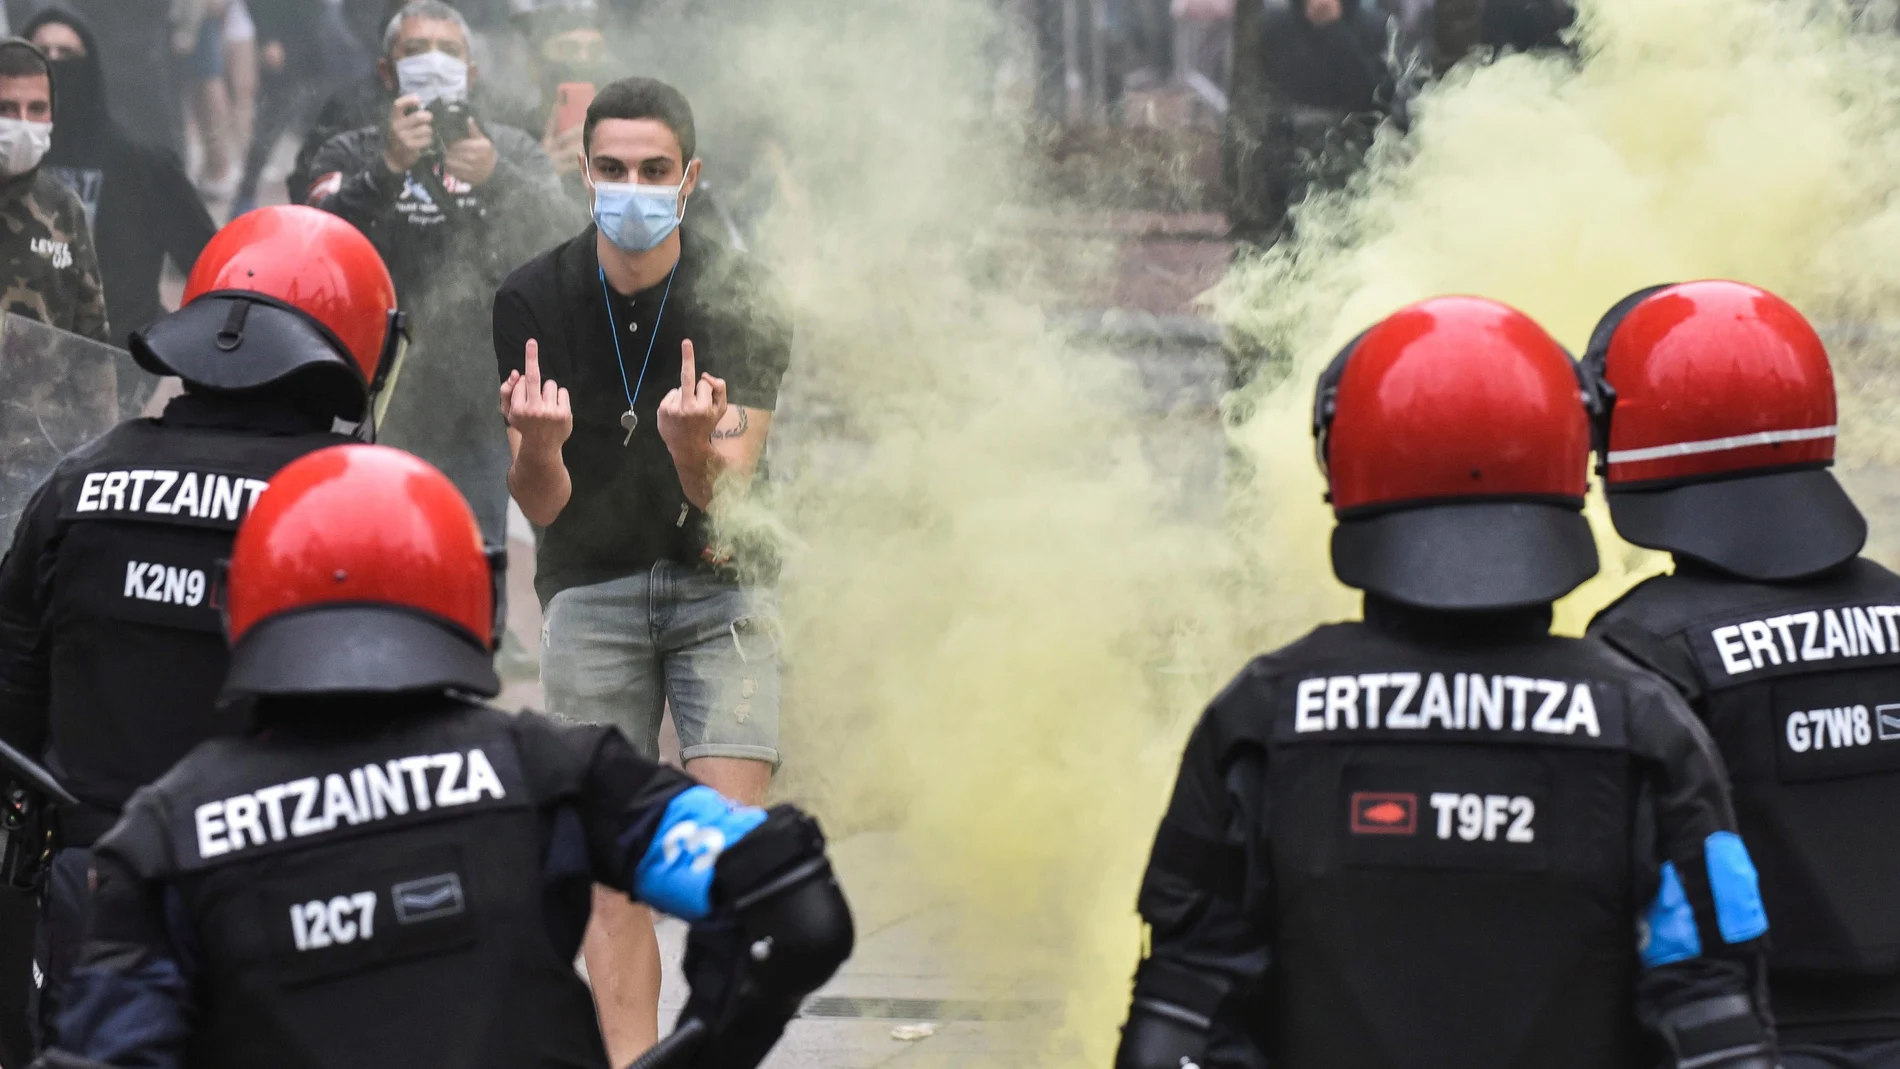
(453, 202)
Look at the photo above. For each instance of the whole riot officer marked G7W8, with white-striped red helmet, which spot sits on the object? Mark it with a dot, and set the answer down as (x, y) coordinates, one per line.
(1779, 633)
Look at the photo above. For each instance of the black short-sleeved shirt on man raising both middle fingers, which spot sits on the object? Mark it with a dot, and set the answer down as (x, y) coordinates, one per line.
(628, 506)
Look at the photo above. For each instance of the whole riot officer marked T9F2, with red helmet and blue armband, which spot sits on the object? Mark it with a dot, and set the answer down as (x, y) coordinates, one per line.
(1426, 840)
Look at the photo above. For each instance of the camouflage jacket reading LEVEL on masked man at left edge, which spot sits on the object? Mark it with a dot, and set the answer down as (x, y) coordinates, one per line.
(47, 257)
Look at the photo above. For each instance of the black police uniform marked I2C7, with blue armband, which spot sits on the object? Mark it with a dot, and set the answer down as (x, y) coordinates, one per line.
(368, 890)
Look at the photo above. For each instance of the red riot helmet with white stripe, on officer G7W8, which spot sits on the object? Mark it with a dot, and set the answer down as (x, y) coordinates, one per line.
(1719, 430)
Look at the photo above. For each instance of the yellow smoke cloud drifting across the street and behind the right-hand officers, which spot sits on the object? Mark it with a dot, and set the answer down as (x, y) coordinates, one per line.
(1000, 616)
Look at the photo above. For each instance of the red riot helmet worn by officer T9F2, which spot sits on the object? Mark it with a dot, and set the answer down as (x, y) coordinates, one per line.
(1456, 445)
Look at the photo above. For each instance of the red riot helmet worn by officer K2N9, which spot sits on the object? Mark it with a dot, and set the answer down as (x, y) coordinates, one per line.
(282, 295)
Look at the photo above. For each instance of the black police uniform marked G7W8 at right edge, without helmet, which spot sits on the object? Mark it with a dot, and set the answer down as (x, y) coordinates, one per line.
(1800, 688)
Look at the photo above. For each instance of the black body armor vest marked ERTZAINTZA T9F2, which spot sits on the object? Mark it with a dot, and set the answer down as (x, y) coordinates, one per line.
(1453, 859)
